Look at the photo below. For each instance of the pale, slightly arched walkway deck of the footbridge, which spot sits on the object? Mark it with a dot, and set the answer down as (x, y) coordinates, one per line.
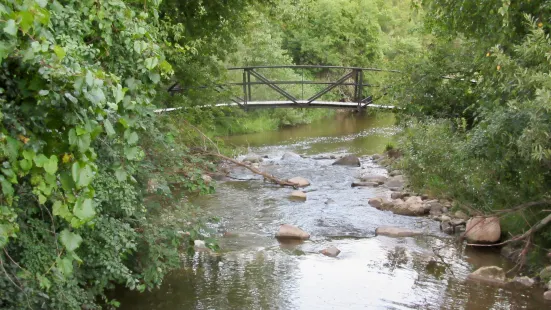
(290, 104)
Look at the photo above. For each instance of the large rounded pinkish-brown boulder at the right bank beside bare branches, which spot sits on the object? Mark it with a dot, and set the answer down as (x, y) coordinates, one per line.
(483, 230)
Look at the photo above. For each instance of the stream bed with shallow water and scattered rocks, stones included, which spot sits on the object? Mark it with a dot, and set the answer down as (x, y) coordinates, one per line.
(336, 249)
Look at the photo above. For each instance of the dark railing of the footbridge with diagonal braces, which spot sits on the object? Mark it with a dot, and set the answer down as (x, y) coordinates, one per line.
(353, 76)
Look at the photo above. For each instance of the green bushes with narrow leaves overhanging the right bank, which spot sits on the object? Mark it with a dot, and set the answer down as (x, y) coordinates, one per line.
(483, 111)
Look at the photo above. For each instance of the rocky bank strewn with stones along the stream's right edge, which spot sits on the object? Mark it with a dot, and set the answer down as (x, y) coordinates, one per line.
(467, 224)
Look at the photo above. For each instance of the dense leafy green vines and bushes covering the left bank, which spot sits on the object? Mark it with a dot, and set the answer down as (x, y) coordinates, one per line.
(78, 147)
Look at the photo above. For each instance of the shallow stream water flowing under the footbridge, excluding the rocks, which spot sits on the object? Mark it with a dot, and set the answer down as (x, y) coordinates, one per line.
(254, 271)
